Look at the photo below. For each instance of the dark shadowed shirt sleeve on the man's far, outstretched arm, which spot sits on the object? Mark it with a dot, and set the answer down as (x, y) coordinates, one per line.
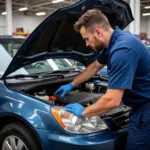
(102, 58)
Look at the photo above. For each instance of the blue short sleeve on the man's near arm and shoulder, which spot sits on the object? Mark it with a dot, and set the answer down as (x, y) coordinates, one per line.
(123, 64)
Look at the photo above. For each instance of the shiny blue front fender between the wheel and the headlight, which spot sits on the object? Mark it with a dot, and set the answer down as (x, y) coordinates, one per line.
(32, 110)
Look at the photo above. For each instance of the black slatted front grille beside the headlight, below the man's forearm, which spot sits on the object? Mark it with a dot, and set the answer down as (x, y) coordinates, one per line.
(120, 116)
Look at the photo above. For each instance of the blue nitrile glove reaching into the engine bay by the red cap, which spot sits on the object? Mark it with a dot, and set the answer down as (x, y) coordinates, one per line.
(64, 89)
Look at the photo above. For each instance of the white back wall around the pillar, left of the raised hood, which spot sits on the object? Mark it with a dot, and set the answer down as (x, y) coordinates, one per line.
(29, 23)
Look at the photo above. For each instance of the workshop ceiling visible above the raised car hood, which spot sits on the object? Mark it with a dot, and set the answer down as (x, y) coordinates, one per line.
(47, 6)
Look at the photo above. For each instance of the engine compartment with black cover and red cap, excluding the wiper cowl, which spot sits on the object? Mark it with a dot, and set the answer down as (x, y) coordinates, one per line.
(85, 94)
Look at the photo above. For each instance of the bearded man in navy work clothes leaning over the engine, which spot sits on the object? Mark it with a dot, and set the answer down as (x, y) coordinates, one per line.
(128, 62)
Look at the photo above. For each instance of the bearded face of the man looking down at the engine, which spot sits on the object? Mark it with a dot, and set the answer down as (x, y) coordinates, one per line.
(93, 40)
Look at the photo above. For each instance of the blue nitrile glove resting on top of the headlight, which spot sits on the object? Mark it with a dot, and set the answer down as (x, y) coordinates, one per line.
(75, 109)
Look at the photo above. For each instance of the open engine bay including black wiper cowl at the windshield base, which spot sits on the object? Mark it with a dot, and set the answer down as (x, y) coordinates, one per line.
(45, 86)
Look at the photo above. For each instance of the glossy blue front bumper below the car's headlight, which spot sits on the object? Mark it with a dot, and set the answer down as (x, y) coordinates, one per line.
(99, 141)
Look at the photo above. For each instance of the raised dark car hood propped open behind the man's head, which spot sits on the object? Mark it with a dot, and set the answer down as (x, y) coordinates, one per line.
(55, 36)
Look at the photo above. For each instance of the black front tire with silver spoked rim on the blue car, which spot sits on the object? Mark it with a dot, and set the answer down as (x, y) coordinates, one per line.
(19, 135)
